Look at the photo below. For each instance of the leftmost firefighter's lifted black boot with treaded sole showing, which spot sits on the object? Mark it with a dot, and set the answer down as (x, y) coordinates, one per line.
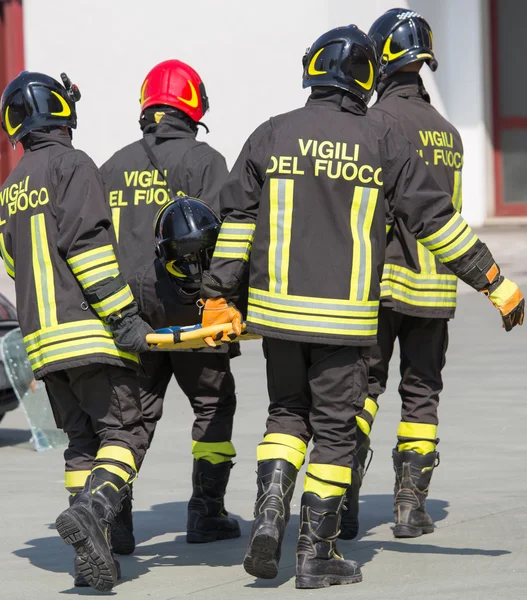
(85, 526)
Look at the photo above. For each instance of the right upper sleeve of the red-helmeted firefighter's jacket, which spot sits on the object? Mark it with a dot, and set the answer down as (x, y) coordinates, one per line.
(203, 174)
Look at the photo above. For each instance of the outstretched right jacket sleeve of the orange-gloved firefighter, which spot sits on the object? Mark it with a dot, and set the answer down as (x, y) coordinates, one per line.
(428, 213)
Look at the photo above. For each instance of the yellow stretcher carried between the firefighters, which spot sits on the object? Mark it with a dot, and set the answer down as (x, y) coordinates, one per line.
(192, 336)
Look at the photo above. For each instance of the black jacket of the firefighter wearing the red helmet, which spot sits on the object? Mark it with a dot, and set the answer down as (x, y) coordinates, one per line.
(137, 190)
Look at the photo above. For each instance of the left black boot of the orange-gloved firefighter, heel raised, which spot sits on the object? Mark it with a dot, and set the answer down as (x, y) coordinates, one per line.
(276, 483)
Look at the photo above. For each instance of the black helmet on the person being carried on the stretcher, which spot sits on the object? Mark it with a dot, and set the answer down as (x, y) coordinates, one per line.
(185, 232)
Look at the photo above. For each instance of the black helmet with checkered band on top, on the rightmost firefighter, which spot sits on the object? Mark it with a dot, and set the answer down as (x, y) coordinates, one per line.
(402, 37)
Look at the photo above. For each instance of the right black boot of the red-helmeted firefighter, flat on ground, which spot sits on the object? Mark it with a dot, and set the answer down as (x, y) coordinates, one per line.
(207, 519)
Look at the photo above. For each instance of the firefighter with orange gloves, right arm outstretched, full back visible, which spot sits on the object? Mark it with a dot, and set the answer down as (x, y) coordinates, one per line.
(305, 206)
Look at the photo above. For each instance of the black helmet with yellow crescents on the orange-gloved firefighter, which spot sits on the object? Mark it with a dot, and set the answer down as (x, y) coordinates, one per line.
(345, 58)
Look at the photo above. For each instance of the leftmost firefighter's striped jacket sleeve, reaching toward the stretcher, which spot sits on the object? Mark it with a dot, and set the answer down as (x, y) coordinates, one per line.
(85, 238)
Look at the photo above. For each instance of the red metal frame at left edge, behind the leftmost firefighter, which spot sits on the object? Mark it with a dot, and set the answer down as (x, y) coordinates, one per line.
(11, 63)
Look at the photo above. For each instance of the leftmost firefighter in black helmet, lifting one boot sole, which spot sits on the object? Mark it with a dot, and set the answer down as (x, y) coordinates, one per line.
(80, 323)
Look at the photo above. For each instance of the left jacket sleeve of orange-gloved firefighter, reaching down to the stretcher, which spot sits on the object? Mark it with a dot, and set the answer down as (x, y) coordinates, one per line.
(240, 201)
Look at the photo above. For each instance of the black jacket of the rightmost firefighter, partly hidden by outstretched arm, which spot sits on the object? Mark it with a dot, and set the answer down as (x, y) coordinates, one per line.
(414, 282)
